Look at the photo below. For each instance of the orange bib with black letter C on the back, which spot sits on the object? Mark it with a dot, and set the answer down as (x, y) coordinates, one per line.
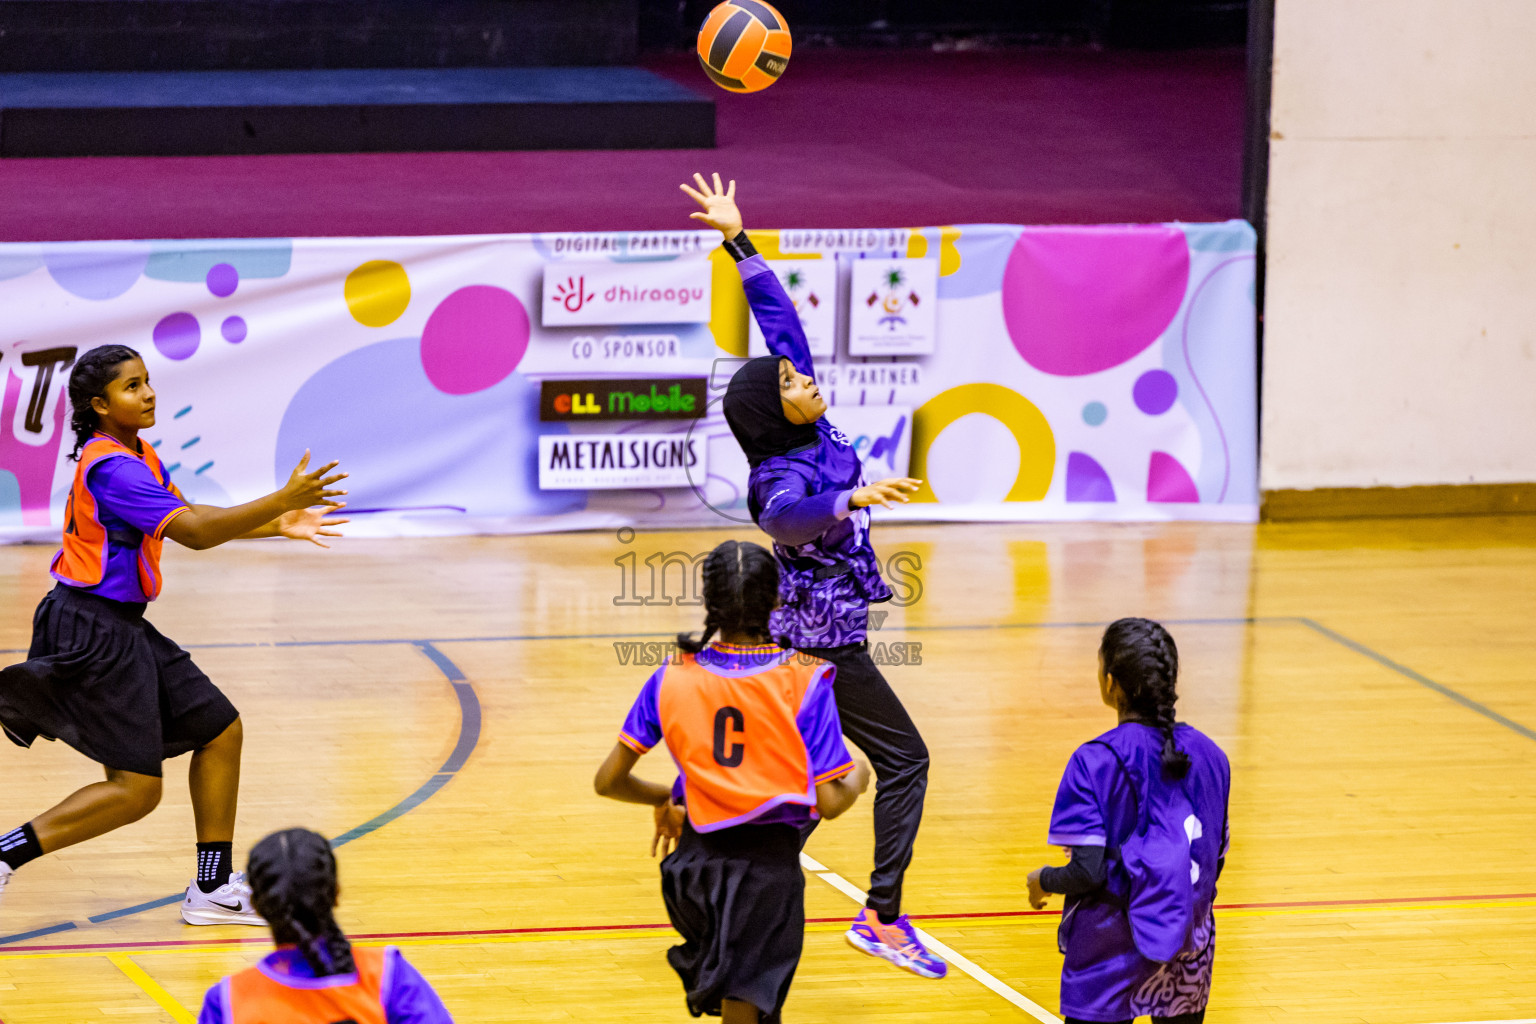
(737, 739)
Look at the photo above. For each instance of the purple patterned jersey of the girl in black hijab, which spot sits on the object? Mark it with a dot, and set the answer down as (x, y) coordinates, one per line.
(827, 569)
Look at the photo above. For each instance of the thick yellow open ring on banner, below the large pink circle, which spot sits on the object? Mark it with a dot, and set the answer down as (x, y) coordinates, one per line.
(1008, 408)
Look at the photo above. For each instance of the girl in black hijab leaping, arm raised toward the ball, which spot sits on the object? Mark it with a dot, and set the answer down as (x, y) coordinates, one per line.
(809, 494)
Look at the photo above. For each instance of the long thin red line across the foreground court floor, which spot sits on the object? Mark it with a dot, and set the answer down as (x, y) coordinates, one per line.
(563, 930)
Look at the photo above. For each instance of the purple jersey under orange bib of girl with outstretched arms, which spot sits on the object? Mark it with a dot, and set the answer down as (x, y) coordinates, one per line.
(130, 503)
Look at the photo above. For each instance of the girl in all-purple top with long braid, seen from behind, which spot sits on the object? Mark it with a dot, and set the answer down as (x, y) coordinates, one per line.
(1144, 814)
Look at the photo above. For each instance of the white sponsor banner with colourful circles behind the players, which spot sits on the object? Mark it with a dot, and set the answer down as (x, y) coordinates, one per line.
(1074, 372)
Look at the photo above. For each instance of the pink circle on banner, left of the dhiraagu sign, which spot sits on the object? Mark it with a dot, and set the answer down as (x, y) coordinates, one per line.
(474, 340)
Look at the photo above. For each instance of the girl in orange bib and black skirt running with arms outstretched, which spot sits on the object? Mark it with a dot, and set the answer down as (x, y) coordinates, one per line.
(99, 676)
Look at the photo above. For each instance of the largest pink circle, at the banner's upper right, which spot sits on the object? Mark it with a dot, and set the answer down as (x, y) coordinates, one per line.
(1082, 300)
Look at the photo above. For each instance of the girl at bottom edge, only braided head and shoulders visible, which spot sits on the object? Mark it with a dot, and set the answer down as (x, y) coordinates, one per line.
(316, 976)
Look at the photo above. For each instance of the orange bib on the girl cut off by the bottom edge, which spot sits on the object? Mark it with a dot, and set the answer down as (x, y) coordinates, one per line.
(256, 999)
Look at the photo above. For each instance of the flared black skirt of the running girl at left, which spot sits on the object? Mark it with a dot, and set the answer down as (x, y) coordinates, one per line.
(110, 685)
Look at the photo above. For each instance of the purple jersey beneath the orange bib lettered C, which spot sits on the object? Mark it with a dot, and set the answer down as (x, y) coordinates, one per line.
(821, 730)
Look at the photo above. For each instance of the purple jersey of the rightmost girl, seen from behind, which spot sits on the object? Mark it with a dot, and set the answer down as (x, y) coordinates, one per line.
(1105, 977)
